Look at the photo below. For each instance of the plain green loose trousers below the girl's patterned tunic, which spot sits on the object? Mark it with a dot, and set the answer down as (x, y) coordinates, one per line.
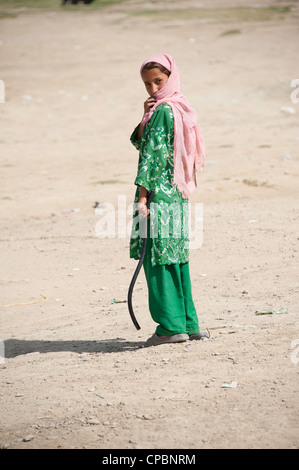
(170, 296)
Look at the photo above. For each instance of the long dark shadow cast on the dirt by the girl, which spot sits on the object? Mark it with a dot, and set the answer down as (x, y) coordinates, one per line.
(18, 347)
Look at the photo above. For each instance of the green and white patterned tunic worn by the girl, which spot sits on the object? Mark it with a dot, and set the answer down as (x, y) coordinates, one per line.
(169, 211)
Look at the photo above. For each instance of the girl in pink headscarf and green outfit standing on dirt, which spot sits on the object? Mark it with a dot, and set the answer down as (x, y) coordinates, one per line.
(171, 151)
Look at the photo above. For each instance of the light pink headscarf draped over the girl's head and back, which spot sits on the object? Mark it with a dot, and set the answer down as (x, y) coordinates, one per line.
(189, 148)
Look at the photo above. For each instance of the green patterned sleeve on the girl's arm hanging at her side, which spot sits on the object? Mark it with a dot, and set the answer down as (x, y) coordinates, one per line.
(156, 147)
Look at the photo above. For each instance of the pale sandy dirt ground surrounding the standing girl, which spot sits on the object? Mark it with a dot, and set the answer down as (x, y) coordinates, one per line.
(74, 372)
